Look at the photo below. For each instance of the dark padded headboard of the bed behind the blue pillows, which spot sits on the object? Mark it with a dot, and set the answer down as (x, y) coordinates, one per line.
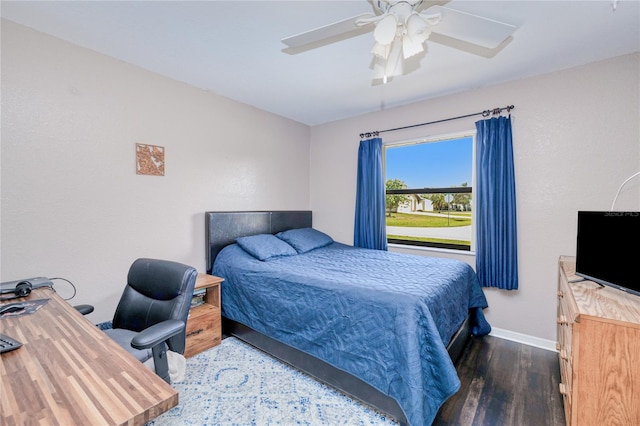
(222, 228)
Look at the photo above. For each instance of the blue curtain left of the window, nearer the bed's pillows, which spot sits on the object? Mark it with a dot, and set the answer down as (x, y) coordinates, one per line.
(370, 229)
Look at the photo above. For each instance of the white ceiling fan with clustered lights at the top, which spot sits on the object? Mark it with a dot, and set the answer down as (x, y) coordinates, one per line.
(400, 30)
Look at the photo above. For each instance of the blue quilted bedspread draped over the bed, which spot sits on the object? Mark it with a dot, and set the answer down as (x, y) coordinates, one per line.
(383, 317)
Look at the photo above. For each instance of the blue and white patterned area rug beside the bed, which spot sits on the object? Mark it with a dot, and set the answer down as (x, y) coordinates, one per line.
(236, 384)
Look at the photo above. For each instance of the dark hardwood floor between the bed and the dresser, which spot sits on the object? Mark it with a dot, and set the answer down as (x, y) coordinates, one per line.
(505, 383)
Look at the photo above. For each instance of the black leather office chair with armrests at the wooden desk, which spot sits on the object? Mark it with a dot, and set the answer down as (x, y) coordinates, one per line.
(152, 313)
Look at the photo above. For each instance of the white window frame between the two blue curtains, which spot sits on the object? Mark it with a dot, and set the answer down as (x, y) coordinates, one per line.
(457, 248)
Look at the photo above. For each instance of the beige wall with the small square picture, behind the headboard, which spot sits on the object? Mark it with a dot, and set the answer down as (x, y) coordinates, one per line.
(72, 204)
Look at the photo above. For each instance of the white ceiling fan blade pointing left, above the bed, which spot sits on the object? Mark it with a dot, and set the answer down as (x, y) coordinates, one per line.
(327, 34)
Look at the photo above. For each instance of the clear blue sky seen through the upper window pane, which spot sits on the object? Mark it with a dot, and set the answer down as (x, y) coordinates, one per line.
(431, 165)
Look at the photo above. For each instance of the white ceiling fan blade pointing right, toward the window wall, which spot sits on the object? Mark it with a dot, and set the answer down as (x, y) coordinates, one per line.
(469, 28)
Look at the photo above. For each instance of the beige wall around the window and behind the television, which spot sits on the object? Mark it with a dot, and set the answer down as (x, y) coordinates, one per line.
(576, 139)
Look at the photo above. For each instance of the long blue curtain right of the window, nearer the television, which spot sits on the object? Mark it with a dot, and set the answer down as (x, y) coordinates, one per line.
(496, 242)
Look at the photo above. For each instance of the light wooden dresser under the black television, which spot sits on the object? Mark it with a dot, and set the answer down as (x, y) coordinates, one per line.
(599, 350)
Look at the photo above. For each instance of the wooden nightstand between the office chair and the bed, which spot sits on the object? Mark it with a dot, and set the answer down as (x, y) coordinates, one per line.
(204, 329)
